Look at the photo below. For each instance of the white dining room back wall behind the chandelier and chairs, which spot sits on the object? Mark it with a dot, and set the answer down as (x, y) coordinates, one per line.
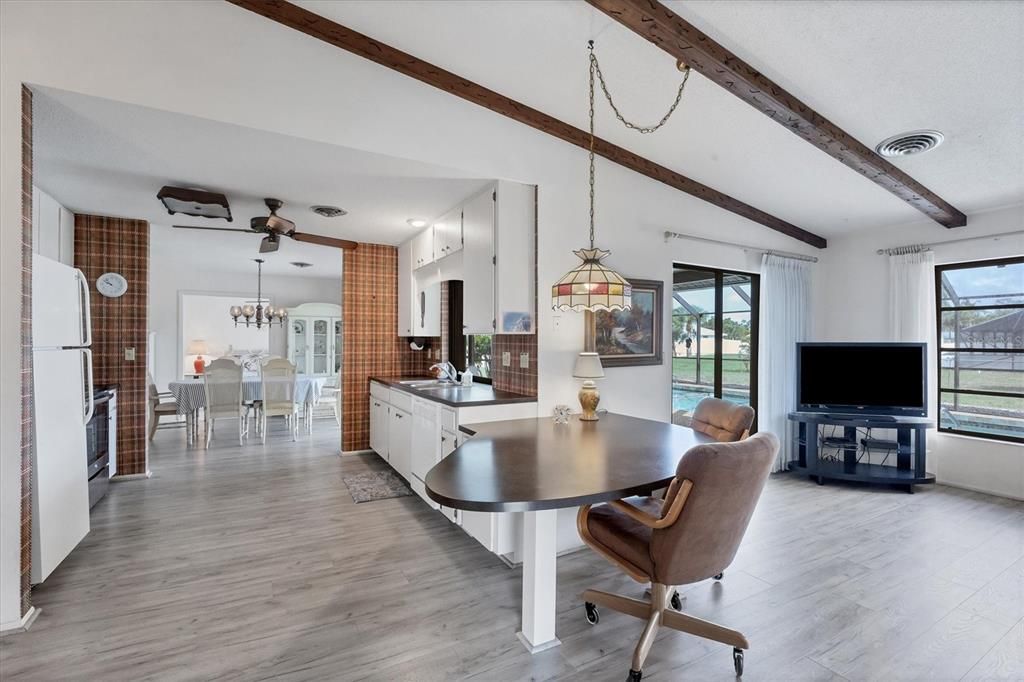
(172, 273)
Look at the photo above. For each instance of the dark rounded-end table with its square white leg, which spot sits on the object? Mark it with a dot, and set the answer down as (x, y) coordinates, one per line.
(538, 466)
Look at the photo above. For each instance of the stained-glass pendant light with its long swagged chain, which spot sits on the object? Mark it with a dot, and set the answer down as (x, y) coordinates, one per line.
(592, 285)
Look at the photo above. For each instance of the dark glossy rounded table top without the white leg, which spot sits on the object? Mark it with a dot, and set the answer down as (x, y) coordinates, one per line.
(534, 464)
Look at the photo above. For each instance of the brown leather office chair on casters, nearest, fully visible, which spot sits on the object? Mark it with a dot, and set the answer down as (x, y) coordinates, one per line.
(691, 536)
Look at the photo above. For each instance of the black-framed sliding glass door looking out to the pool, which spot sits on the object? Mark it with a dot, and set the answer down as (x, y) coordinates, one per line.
(714, 337)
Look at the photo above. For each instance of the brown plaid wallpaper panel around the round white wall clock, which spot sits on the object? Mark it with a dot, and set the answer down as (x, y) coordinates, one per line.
(118, 245)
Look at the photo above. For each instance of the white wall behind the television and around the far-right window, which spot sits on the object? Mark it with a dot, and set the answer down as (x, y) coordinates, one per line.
(854, 306)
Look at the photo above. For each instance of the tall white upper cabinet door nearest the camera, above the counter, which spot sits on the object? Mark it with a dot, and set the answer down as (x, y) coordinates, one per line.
(479, 265)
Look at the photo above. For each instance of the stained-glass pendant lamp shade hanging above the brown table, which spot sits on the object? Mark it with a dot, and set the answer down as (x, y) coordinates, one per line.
(592, 286)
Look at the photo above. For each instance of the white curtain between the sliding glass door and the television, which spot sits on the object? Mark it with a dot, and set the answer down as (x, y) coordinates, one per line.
(785, 320)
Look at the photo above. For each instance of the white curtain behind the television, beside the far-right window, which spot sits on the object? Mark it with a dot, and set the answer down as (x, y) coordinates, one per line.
(912, 307)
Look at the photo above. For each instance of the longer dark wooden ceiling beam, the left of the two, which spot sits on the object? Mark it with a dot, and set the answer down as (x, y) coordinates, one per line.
(345, 38)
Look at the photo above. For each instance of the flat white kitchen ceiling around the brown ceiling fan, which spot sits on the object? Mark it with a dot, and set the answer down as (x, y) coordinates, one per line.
(99, 156)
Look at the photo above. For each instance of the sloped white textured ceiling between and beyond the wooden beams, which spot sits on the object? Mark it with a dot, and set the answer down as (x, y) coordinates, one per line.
(874, 68)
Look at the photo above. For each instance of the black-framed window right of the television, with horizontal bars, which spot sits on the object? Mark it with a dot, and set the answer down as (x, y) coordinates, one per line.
(980, 316)
